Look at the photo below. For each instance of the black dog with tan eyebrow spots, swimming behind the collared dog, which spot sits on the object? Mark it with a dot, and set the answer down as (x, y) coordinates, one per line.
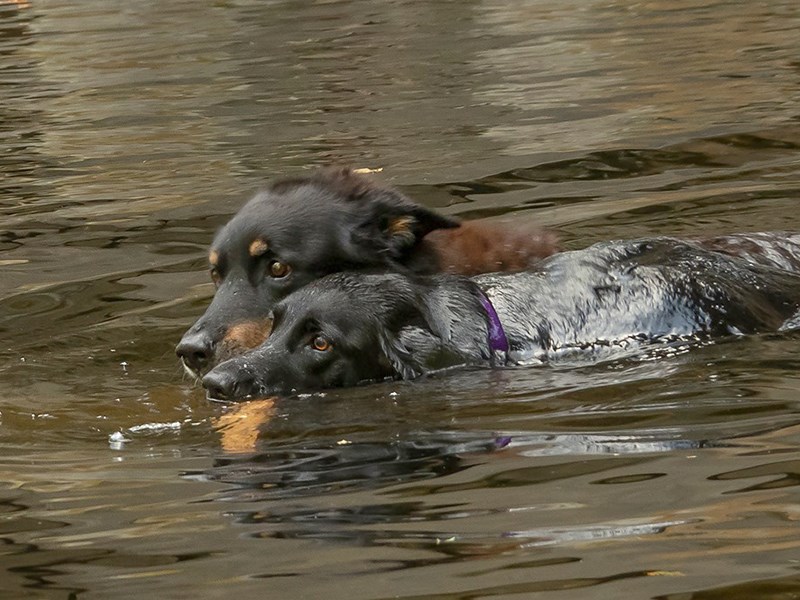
(299, 230)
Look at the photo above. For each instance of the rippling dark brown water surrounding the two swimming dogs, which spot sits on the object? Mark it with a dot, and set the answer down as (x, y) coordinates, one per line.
(130, 131)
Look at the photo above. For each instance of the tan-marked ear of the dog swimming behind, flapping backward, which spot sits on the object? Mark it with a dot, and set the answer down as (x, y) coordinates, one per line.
(393, 224)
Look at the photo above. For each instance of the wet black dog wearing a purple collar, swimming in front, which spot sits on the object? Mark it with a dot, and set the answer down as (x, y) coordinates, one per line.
(352, 327)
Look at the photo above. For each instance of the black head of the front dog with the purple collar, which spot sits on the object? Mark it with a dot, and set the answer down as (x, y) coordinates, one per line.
(341, 330)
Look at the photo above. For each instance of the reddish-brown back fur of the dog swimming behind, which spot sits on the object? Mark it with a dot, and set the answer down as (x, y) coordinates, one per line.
(481, 247)
